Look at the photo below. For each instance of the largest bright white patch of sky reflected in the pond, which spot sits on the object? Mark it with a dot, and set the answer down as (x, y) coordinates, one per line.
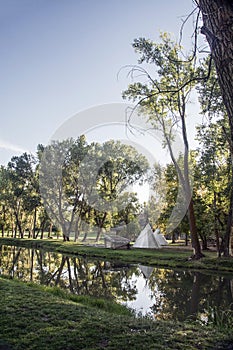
(145, 299)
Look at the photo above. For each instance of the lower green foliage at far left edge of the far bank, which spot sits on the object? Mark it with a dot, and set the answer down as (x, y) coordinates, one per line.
(20, 196)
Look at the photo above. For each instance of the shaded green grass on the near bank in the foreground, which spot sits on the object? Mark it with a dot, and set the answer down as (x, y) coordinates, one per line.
(35, 317)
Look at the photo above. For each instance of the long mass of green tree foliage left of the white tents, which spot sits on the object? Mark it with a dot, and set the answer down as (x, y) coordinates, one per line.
(82, 185)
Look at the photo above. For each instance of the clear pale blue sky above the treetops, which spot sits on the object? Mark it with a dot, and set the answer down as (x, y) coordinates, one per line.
(60, 57)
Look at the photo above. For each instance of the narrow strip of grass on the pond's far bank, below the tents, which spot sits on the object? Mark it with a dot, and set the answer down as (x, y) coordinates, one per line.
(172, 257)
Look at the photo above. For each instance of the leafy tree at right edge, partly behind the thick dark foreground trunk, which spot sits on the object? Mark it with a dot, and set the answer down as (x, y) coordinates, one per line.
(215, 161)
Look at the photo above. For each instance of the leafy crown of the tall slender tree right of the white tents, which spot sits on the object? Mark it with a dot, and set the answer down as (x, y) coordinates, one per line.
(163, 92)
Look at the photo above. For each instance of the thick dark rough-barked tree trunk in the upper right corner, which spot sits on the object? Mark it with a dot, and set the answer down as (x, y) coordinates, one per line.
(218, 28)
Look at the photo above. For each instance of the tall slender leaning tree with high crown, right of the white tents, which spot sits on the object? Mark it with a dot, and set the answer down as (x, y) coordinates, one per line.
(163, 99)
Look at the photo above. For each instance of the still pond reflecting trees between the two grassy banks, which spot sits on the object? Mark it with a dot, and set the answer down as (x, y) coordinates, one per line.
(155, 292)
